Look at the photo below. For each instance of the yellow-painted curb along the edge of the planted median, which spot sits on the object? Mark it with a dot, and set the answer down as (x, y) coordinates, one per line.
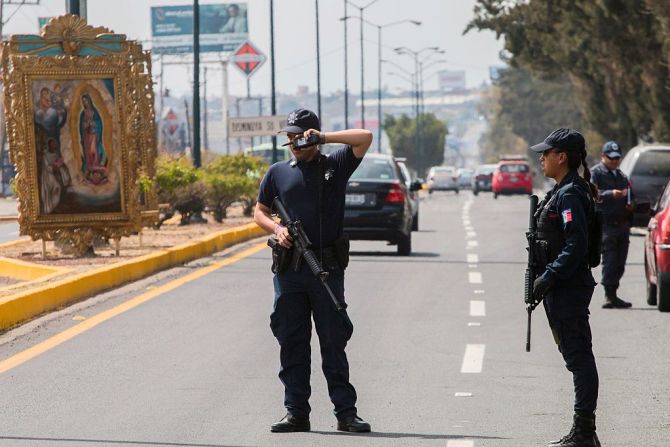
(18, 308)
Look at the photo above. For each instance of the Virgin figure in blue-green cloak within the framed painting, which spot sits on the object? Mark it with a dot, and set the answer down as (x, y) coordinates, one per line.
(94, 156)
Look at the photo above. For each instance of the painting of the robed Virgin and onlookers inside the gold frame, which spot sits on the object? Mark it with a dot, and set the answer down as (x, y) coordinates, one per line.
(76, 146)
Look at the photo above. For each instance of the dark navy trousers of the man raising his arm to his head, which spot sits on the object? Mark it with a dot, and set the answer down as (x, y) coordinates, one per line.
(299, 296)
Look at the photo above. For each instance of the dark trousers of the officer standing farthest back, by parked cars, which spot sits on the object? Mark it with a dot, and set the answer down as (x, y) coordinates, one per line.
(615, 251)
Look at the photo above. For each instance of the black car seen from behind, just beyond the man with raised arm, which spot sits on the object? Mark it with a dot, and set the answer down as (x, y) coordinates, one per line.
(377, 205)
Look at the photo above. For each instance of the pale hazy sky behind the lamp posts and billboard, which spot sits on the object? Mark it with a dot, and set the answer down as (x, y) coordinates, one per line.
(443, 22)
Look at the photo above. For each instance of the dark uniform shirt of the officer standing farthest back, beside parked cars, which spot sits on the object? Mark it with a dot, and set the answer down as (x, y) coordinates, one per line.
(613, 210)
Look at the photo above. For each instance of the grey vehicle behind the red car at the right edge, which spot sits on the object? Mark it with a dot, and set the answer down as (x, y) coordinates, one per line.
(648, 169)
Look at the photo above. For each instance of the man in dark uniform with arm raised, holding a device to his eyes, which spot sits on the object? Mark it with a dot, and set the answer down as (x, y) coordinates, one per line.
(312, 189)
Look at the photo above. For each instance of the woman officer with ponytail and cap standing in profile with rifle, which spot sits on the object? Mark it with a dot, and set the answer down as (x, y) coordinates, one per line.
(566, 285)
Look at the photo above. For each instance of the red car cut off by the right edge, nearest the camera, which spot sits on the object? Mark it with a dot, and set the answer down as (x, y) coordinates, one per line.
(657, 253)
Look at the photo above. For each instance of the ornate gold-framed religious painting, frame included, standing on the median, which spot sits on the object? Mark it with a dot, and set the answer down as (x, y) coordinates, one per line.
(80, 126)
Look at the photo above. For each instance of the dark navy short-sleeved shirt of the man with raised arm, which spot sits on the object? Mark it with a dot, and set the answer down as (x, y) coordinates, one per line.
(297, 185)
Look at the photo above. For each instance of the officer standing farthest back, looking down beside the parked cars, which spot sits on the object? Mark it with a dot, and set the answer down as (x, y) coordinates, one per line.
(616, 206)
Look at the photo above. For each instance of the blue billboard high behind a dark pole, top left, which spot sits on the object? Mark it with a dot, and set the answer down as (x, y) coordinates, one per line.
(223, 27)
